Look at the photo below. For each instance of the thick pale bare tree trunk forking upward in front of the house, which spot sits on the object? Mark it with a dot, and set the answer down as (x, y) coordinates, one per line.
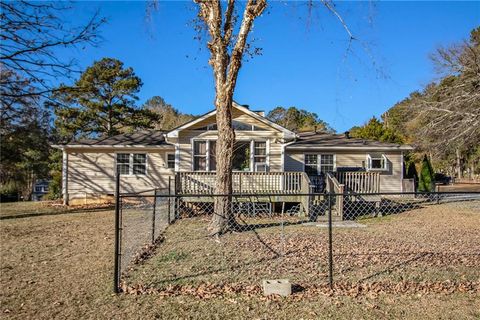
(225, 69)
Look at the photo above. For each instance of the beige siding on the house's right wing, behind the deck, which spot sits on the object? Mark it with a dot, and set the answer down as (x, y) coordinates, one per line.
(390, 181)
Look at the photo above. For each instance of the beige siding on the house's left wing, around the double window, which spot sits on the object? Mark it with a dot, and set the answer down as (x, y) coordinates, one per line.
(92, 173)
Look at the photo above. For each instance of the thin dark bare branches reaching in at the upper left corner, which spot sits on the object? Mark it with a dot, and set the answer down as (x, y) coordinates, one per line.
(30, 33)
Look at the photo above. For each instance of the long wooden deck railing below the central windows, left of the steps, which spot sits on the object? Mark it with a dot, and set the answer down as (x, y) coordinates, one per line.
(245, 182)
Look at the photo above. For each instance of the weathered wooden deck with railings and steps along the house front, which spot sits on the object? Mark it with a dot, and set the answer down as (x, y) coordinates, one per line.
(279, 187)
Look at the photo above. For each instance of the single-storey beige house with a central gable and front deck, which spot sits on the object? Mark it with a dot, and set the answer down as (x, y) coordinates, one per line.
(268, 158)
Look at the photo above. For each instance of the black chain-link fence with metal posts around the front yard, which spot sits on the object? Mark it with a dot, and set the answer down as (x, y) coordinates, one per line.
(313, 240)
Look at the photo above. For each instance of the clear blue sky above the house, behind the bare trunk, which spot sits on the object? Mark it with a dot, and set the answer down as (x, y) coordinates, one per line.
(305, 61)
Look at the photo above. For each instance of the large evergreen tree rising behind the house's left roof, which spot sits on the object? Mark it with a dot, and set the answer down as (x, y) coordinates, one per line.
(102, 102)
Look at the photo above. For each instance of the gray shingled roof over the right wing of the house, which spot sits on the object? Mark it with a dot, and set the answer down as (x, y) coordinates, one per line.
(340, 141)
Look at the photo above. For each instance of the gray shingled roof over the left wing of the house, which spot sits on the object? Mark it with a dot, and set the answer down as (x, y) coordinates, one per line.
(138, 138)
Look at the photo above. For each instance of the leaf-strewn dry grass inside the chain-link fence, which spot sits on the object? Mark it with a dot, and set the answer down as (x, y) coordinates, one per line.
(433, 244)
